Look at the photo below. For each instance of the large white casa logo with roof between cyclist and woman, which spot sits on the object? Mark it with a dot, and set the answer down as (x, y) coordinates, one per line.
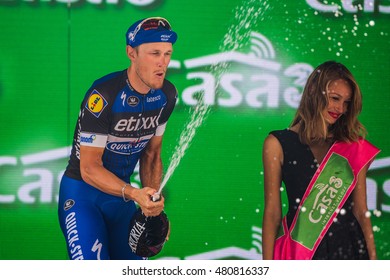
(235, 79)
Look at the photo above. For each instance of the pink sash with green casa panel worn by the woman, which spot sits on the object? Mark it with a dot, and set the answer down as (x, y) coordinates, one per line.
(327, 192)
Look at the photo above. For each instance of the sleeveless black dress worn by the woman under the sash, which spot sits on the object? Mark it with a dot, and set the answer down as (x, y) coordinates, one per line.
(344, 239)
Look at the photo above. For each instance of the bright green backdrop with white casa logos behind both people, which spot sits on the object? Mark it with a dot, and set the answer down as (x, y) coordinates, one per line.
(249, 58)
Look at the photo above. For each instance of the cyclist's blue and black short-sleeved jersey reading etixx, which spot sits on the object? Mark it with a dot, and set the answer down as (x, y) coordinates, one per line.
(114, 116)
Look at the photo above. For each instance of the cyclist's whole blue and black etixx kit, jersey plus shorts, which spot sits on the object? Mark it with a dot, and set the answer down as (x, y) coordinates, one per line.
(115, 117)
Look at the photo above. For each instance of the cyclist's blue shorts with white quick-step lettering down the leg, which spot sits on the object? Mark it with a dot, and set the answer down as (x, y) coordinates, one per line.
(95, 224)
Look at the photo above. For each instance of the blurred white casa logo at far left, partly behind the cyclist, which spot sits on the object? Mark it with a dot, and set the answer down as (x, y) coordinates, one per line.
(35, 178)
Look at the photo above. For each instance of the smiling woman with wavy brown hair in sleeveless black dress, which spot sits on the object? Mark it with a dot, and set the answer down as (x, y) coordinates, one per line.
(328, 112)
